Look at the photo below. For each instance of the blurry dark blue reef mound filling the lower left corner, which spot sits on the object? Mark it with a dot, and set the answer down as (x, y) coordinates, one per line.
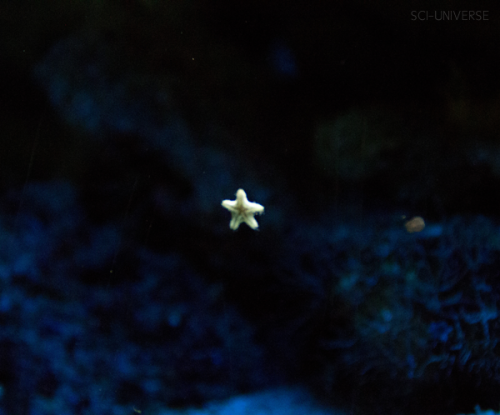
(81, 333)
